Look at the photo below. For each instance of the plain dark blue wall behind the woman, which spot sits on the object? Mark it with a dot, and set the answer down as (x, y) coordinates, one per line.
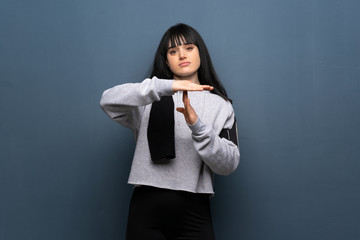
(292, 68)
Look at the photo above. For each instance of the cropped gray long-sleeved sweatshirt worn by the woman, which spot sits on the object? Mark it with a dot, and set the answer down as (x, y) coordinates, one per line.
(200, 152)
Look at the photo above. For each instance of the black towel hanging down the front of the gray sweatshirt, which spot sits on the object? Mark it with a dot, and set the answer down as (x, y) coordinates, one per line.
(161, 136)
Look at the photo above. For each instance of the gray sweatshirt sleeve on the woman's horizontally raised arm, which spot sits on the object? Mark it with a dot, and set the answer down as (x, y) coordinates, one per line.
(125, 103)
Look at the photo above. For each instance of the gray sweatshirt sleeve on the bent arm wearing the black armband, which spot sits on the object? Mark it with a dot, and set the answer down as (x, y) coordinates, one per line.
(220, 154)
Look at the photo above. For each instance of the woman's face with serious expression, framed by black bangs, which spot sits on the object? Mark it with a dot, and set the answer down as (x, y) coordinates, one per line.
(184, 61)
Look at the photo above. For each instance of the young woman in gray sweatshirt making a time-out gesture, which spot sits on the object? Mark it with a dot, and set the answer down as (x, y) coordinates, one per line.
(185, 131)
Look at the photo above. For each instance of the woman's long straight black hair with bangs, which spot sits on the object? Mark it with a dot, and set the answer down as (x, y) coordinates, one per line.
(206, 71)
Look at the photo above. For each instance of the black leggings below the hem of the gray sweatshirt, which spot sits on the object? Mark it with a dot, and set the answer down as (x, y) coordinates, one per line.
(162, 214)
